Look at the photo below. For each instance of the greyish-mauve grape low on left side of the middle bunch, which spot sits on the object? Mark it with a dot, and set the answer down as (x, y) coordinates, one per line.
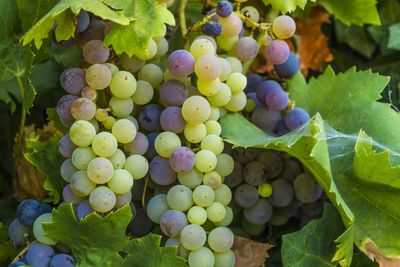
(172, 222)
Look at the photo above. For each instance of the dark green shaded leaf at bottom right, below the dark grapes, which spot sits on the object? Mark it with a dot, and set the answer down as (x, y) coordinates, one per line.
(314, 244)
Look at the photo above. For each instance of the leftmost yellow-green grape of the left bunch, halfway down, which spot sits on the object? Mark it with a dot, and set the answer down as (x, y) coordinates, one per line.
(82, 133)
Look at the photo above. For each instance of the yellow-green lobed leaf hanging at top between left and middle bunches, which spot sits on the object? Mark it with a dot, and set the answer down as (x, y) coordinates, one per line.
(134, 38)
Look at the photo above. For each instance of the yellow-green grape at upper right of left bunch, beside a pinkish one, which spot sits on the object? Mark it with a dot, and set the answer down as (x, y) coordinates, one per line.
(123, 84)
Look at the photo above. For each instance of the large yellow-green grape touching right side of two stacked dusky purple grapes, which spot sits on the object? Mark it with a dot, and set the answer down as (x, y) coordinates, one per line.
(196, 109)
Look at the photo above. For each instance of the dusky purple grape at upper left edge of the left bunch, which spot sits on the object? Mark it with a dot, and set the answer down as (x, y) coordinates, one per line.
(72, 80)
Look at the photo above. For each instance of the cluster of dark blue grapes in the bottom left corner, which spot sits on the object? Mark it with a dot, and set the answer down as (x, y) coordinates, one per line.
(27, 227)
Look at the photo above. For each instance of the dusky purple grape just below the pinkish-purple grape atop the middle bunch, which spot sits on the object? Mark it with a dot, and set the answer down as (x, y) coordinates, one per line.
(173, 93)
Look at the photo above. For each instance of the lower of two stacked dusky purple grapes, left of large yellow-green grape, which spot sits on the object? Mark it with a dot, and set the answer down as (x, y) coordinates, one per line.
(171, 120)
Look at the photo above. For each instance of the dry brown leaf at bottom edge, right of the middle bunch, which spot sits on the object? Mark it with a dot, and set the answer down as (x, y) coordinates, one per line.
(250, 253)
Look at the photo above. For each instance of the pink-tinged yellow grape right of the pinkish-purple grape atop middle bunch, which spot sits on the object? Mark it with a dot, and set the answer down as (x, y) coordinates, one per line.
(208, 67)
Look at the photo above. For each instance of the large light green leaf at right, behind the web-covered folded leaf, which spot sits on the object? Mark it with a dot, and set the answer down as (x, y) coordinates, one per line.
(348, 102)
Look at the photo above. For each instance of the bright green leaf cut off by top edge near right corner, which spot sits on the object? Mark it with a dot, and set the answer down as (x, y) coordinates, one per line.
(356, 12)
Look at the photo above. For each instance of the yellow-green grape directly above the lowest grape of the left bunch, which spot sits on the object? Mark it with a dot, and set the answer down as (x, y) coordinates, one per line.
(100, 170)
